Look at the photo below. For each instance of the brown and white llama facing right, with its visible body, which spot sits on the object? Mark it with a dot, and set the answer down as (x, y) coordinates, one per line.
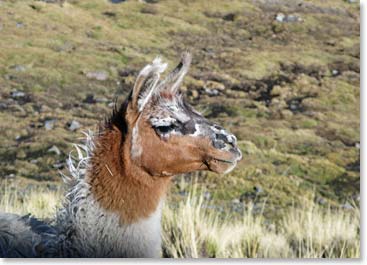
(117, 188)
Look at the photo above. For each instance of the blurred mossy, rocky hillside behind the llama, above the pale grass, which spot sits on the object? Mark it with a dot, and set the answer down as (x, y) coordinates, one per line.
(282, 75)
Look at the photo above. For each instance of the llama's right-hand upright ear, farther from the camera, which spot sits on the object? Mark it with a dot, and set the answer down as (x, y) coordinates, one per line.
(173, 81)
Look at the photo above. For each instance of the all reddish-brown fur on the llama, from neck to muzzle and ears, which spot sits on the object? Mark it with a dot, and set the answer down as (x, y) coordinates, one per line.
(134, 186)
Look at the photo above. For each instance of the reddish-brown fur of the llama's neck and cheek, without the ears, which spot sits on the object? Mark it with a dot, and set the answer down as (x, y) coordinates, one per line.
(134, 188)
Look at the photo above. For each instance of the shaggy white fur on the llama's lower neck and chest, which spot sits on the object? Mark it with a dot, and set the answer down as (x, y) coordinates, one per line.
(92, 231)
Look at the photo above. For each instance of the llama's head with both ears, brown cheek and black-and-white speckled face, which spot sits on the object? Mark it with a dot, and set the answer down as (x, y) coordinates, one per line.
(166, 135)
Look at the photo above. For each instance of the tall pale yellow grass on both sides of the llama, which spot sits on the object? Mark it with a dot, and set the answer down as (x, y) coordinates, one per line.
(191, 229)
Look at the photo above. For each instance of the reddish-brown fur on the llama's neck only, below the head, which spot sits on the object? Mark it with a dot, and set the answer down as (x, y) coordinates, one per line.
(119, 185)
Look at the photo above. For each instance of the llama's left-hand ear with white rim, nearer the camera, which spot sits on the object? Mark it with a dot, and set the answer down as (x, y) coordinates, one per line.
(146, 83)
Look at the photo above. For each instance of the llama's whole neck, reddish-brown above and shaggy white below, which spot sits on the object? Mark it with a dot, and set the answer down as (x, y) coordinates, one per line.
(115, 211)
